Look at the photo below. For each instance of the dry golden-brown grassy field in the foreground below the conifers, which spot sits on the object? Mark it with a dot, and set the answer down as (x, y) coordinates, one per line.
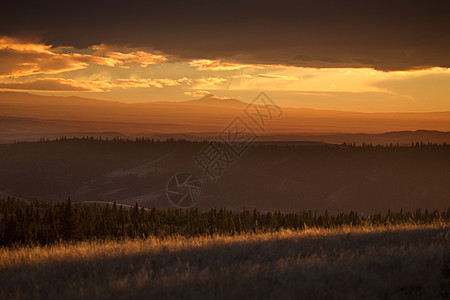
(403, 262)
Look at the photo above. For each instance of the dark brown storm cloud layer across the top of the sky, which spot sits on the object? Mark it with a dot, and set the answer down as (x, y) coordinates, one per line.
(386, 35)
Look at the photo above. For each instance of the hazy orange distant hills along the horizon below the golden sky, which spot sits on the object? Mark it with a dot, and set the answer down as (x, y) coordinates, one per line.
(26, 116)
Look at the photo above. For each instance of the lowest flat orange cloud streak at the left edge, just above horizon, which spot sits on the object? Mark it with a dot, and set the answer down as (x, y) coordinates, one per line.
(58, 84)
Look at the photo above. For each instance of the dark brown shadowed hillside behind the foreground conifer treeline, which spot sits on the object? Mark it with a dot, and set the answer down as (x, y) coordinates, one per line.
(268, 177)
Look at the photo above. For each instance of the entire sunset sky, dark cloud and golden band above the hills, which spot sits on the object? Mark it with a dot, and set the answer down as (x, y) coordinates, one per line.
(346, 57)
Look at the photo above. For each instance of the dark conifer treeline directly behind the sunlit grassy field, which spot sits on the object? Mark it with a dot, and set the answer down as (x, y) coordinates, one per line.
(28, 223)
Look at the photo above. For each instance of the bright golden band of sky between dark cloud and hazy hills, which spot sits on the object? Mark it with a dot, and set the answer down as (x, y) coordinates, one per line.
(140, 75)
